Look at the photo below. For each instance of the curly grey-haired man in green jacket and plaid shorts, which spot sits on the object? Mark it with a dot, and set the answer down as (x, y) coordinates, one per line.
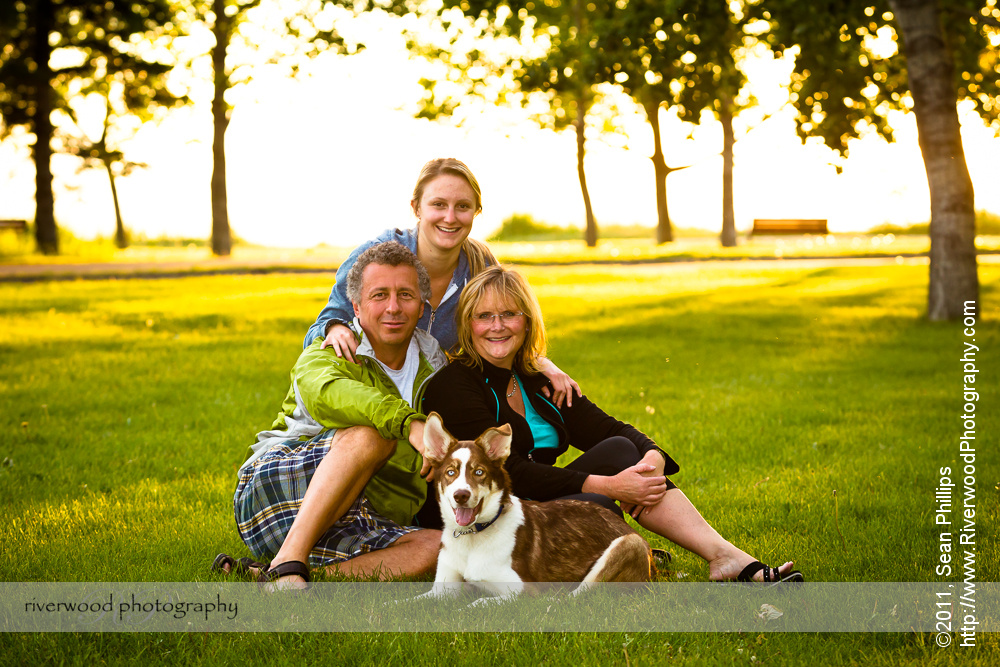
(338, 477)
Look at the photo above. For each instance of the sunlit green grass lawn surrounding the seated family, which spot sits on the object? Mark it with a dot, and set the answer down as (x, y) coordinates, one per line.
(128, 405)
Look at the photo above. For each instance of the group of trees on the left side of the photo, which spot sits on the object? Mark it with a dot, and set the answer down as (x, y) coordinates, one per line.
(121, 50)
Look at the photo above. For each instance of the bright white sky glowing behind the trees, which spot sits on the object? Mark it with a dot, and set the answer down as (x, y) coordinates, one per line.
(332, 158)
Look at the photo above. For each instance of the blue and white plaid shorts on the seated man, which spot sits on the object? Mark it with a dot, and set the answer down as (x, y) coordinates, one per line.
(269, 494)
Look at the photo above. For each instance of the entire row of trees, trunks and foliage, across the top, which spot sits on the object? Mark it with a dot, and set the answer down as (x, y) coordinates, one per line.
(684, 55)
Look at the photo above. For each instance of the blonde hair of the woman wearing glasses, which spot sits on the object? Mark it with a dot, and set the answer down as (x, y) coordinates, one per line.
(506, 284)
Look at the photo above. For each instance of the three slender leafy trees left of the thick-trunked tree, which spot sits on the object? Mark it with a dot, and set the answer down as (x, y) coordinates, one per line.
(677, 53)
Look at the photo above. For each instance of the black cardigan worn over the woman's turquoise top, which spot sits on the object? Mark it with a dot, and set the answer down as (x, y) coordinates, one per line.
(470, 401)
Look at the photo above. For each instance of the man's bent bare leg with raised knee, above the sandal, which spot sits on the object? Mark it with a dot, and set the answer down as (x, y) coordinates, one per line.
(355, 454)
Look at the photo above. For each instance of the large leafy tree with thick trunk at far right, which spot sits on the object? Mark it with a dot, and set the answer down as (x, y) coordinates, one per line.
(849, 74)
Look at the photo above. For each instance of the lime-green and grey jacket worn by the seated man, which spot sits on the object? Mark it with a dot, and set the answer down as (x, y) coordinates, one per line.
(328, 392)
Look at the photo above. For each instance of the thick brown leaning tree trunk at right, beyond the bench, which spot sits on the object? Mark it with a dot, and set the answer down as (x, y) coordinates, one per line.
(954, 280)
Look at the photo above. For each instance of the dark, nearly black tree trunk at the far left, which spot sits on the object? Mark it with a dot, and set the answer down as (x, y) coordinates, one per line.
(46, 236)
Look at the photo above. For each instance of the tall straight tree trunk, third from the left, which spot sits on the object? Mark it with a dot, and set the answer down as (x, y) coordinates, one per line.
(221, 237)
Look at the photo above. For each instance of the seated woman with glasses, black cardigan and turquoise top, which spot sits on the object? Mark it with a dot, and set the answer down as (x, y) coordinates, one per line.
(494, 379)
